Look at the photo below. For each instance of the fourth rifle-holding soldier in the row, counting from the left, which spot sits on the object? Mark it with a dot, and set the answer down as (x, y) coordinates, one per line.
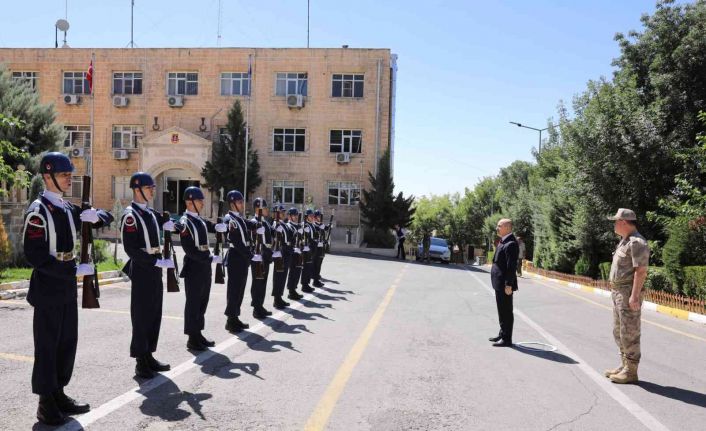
(237, 259)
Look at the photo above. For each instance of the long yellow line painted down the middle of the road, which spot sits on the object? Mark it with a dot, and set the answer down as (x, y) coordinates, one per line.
(319, 418)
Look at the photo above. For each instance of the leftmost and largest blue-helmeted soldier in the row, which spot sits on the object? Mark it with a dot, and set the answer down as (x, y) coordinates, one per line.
(49, 237)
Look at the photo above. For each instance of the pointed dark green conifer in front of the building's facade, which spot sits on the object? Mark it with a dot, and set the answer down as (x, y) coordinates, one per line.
(226, 169)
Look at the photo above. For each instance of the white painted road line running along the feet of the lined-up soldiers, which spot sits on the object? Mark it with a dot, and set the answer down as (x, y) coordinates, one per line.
(80, 422)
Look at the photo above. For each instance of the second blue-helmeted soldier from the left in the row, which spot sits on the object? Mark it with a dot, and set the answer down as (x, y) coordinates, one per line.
(140, 227)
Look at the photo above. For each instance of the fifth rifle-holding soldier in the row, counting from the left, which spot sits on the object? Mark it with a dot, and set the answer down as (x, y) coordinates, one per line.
(258, 286)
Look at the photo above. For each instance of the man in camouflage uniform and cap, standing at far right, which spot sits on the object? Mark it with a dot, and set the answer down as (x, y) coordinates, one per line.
(627, 276)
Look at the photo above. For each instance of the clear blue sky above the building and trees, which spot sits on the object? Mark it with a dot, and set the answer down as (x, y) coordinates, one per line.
(466, 68)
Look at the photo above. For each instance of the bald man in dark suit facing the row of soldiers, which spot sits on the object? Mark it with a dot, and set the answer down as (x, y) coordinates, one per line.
(504, 278)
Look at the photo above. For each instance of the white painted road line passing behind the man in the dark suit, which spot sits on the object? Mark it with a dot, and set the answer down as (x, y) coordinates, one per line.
(610, 388)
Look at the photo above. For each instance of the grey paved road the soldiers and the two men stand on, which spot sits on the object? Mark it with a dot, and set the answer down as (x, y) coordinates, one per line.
(387, 345)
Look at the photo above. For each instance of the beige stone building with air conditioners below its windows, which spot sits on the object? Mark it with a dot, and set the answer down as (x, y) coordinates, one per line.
(319, 118)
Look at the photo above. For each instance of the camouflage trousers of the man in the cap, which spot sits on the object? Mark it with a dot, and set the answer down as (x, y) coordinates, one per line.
(626, 323)
